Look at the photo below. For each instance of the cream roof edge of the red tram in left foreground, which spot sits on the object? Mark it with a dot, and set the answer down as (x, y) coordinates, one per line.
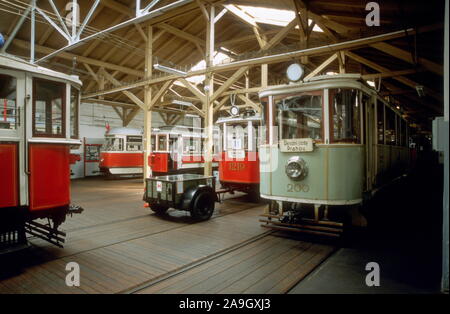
(14, 63)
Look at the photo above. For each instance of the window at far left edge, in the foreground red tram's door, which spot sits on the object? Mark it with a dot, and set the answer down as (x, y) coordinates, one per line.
(8, 102)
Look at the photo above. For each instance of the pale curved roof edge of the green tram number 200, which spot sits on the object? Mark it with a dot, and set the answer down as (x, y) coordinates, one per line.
(320, 82)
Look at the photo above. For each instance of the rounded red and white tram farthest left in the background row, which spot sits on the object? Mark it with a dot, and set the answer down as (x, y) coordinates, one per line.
(122, 153)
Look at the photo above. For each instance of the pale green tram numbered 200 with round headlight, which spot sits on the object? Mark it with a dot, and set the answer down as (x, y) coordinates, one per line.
(328, 145)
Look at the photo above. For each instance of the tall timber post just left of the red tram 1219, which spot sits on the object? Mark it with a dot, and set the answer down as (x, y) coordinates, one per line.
(208, 106)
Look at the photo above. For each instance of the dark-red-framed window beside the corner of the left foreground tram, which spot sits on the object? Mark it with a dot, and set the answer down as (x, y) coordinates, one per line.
(49, 108)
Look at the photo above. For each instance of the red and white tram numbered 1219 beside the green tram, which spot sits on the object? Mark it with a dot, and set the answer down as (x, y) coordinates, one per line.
(239, 164)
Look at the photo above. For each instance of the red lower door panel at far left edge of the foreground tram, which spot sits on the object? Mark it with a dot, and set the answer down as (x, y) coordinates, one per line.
(9, 156)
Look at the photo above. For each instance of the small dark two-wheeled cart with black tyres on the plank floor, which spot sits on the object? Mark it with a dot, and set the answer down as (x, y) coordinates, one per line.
(191, 192)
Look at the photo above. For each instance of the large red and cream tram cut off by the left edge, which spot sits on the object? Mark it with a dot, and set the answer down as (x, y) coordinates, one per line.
(38, 125)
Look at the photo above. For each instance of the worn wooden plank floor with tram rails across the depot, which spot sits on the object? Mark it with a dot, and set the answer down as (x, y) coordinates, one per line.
(120, 245)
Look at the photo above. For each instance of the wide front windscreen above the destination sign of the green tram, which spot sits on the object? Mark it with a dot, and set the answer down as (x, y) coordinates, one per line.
(300, 116)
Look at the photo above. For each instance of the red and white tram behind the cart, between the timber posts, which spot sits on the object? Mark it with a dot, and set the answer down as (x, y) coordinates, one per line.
(179, 150)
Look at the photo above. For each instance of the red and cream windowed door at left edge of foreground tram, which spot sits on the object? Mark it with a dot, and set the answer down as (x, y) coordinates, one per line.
(12, 177)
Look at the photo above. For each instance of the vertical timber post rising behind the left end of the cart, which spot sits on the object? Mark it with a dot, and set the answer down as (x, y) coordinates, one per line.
(147, 100)
